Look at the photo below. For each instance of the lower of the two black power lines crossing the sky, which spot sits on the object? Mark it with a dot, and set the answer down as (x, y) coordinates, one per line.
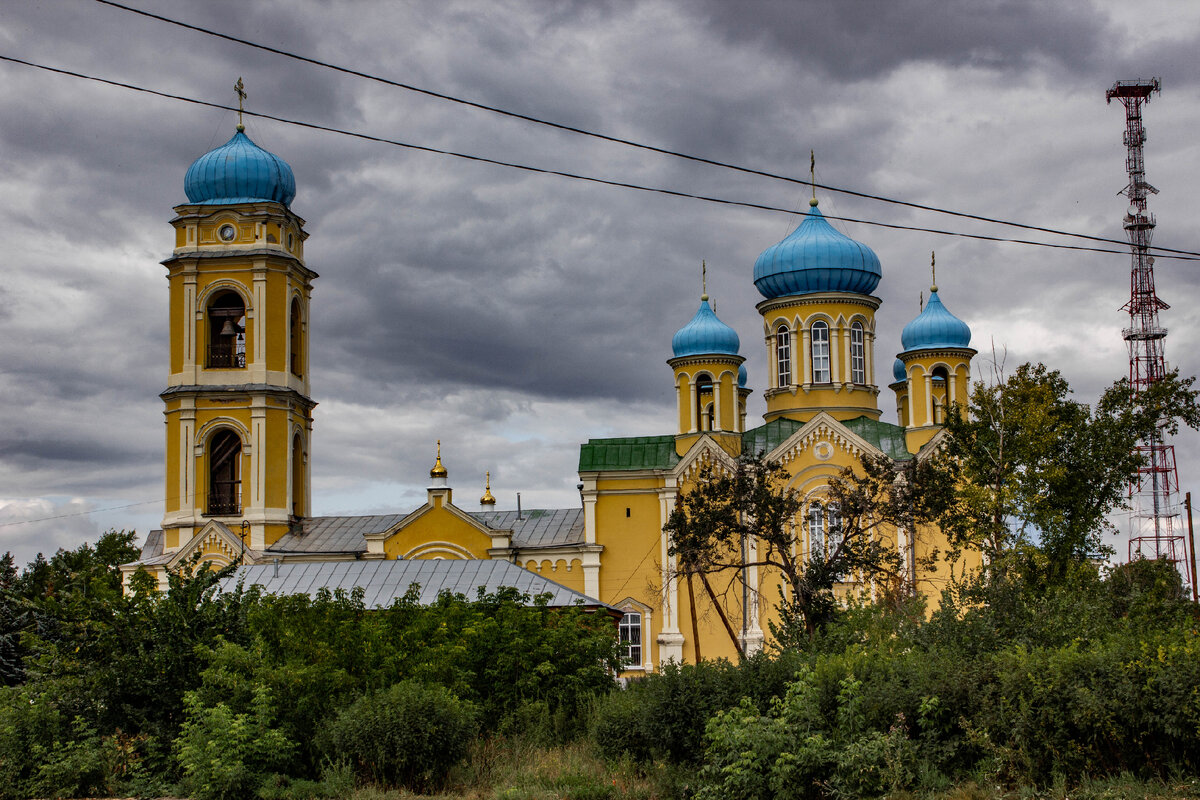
(1189, 256)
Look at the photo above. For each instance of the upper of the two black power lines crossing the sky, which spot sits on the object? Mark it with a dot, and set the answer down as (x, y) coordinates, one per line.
(604, 137)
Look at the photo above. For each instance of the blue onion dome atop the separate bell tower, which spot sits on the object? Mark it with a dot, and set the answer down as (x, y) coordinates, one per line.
(239, 172)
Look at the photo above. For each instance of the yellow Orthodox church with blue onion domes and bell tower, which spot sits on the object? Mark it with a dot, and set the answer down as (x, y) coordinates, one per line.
(239, 429)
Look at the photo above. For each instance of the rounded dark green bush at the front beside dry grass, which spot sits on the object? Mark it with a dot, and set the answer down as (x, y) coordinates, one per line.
(410, 735)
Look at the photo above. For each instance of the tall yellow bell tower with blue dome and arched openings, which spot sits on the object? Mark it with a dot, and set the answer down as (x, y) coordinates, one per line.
(238, 407)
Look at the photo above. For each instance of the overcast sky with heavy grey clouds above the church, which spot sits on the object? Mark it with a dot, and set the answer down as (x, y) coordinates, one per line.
(514, 316)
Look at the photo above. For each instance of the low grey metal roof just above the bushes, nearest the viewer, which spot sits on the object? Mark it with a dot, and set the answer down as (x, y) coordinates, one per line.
(385, 581)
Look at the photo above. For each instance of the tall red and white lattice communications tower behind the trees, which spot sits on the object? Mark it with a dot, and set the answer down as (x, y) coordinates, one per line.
(1156, 530)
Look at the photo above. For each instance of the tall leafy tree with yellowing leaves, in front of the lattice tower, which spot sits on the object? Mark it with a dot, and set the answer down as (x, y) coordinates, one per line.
(1028, 459)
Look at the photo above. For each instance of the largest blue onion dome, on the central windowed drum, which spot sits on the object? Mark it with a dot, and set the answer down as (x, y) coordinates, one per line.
(817, 257)
